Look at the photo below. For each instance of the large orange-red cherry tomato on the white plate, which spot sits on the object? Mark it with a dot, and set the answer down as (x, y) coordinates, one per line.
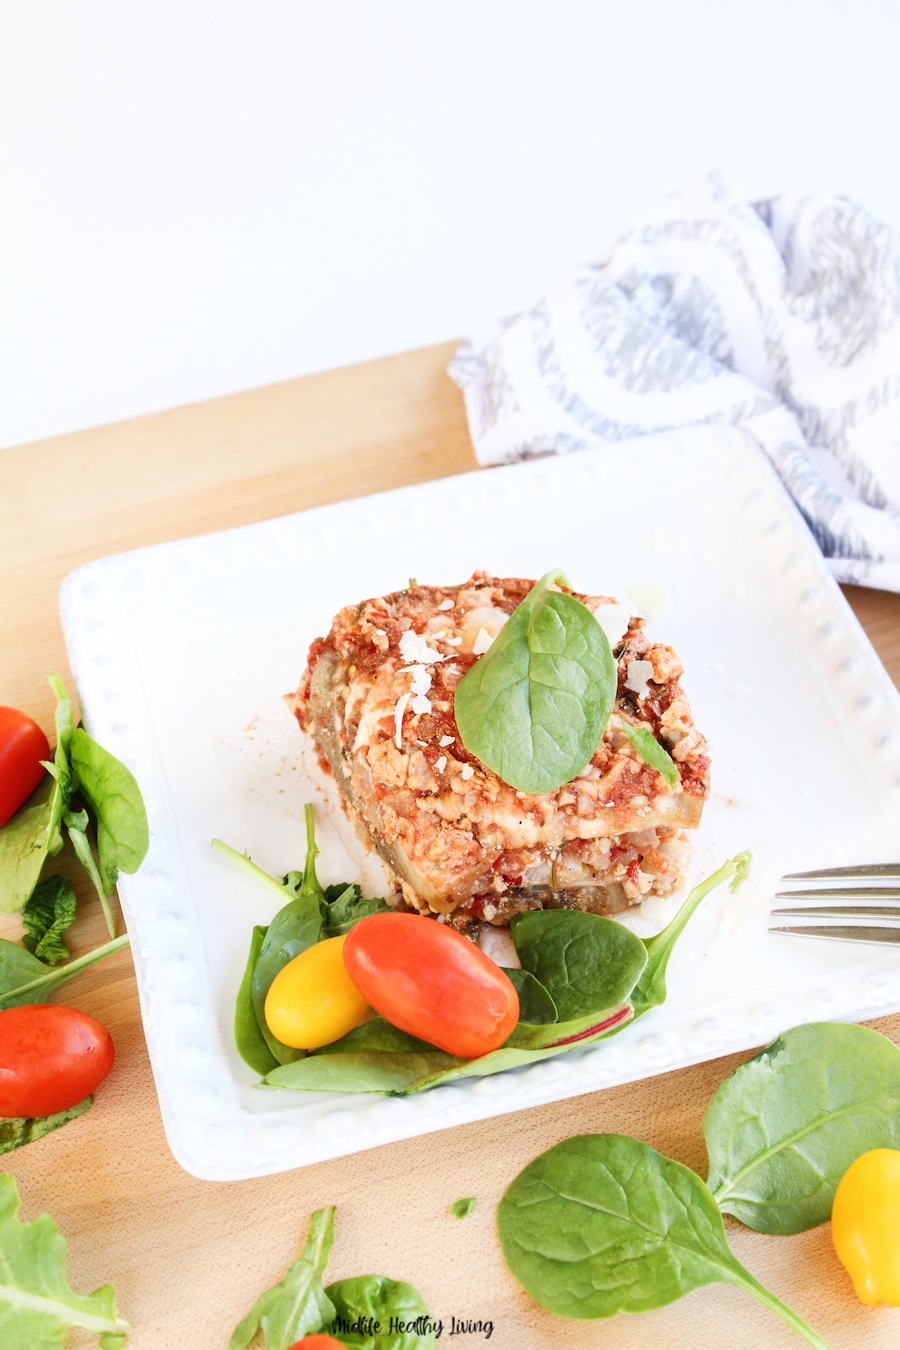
(432, 982)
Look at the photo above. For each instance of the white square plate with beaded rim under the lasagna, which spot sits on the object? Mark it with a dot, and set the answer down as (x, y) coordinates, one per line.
(181, 654)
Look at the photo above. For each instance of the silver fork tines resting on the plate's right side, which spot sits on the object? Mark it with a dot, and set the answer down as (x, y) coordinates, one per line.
(857, 902)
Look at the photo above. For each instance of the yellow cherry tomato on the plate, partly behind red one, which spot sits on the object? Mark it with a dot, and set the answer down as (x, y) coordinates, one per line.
(312, 1001)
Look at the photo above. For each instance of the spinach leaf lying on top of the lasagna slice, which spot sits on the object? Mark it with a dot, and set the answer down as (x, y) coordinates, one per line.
(535, 707)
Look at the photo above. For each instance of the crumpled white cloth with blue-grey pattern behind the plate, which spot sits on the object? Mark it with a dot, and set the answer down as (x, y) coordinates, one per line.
(782, 318)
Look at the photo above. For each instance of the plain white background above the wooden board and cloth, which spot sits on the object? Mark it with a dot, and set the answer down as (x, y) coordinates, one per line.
(202, 196)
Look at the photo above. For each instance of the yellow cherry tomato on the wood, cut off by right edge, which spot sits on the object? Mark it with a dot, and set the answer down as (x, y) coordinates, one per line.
(866, 1226)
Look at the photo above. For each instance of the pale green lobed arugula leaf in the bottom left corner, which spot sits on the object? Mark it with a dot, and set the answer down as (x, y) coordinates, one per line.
(37, 1305)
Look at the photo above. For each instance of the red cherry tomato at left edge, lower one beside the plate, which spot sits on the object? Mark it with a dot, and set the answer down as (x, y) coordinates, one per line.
(51, 1058)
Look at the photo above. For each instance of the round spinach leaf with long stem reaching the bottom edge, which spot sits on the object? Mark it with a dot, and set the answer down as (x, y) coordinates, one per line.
(602, 1224)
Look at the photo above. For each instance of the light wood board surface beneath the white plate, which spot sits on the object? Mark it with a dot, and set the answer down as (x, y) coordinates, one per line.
(190, 1258)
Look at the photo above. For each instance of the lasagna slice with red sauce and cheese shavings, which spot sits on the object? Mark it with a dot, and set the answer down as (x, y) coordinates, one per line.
(378, 699)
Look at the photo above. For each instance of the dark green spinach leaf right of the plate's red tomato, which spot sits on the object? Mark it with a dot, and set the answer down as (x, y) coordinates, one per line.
(585, 962)
